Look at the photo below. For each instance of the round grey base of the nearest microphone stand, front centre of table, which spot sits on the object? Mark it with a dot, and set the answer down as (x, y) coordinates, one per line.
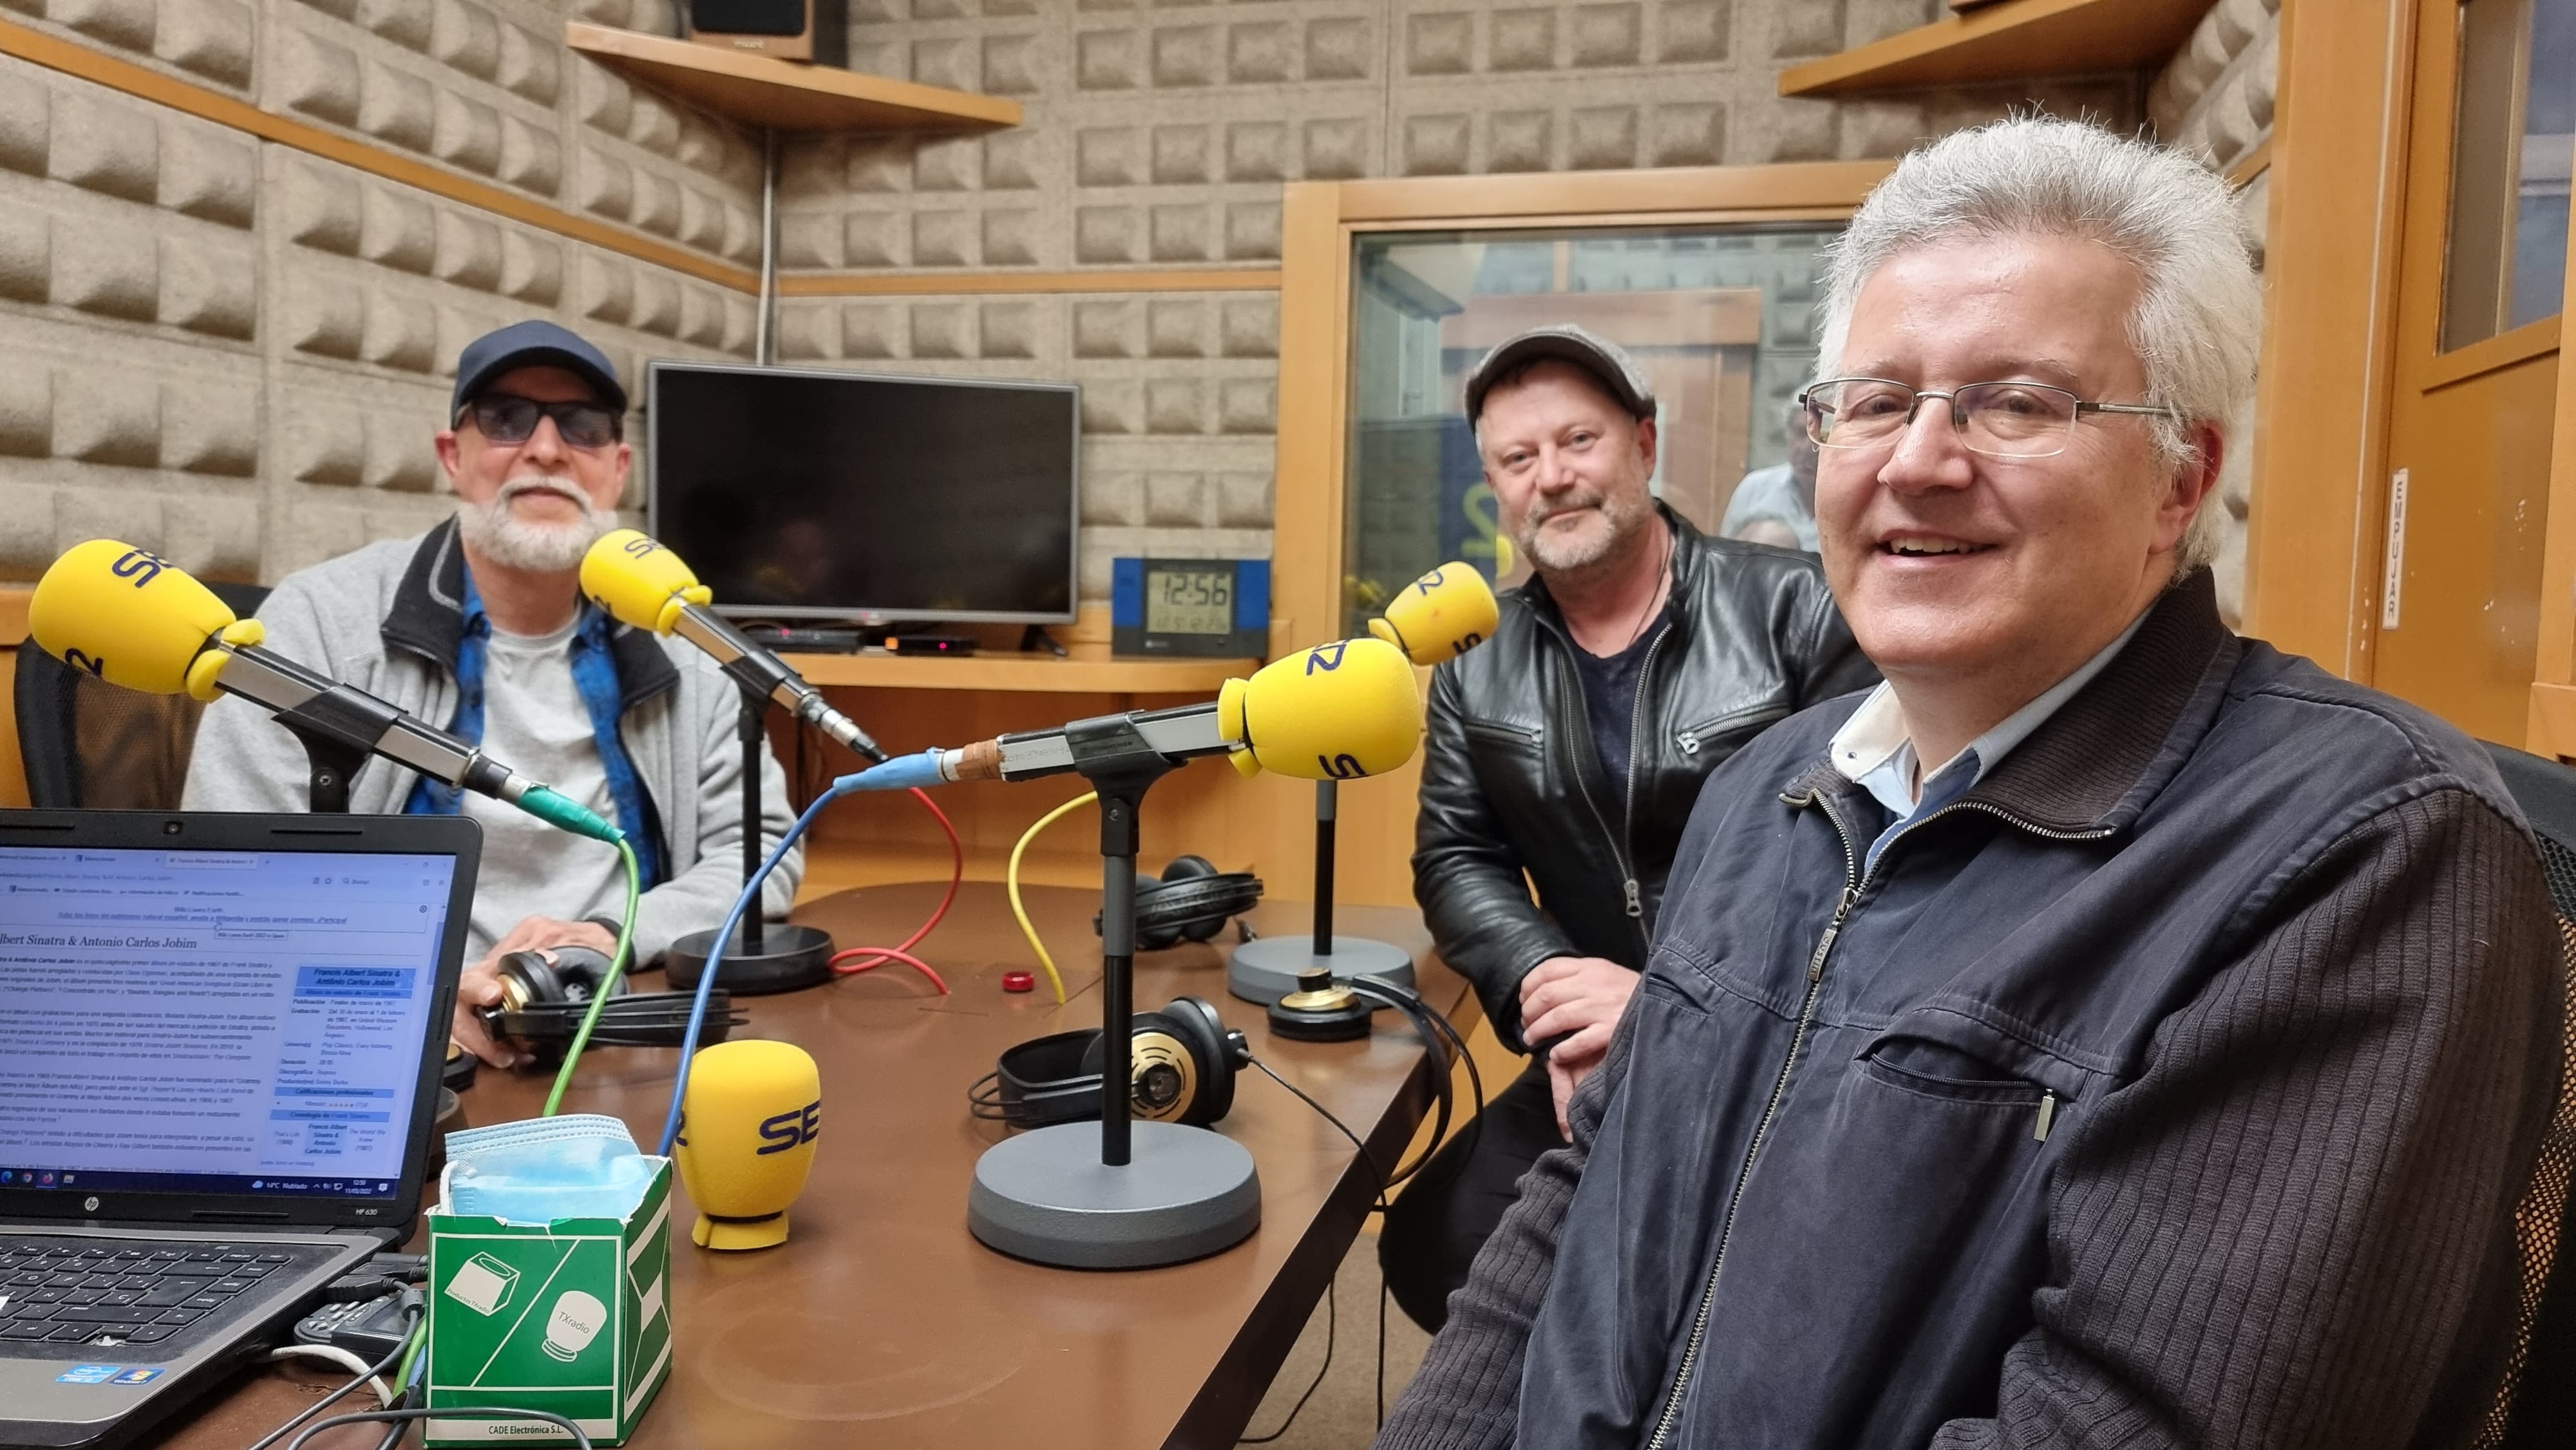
(1047, 1196)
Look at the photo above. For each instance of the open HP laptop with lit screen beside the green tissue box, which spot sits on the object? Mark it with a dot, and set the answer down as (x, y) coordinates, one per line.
(220, 1044)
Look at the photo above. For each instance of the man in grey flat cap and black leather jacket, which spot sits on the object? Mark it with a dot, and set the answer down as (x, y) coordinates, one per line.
(1567, 751)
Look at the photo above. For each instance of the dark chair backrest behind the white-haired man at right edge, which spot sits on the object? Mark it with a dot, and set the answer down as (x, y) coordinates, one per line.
(2539, 1405)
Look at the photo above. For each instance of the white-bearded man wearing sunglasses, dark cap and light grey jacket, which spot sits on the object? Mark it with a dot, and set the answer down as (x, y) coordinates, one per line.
(480, 627)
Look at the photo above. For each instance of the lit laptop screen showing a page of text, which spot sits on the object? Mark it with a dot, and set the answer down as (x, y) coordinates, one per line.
(215, 1021)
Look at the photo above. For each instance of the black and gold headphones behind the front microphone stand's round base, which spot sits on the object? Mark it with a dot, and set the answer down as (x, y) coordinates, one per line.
(1184, 1065)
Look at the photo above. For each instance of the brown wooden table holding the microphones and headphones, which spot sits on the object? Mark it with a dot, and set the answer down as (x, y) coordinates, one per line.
(882, 1323)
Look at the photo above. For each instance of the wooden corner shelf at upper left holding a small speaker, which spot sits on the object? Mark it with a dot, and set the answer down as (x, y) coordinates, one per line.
(784, 97)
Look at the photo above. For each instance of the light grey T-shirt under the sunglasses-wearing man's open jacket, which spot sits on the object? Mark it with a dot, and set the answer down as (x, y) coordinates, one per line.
(535, 722)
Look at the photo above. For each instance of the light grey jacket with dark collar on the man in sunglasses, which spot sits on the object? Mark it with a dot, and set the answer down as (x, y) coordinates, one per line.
(388, 619)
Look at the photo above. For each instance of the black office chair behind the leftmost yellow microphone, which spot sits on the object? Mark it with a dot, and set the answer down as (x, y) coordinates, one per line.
(89, 743)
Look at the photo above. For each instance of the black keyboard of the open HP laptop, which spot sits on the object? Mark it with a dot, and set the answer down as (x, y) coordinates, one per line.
(122, 1292)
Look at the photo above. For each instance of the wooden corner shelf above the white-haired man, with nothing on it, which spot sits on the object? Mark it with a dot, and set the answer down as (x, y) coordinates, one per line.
(2008, 42)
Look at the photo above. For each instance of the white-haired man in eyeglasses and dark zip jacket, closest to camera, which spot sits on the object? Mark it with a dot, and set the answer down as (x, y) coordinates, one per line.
(2111, 1031)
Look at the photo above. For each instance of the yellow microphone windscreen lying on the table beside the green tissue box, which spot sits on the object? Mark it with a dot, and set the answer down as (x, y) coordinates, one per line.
(748, 1140)
